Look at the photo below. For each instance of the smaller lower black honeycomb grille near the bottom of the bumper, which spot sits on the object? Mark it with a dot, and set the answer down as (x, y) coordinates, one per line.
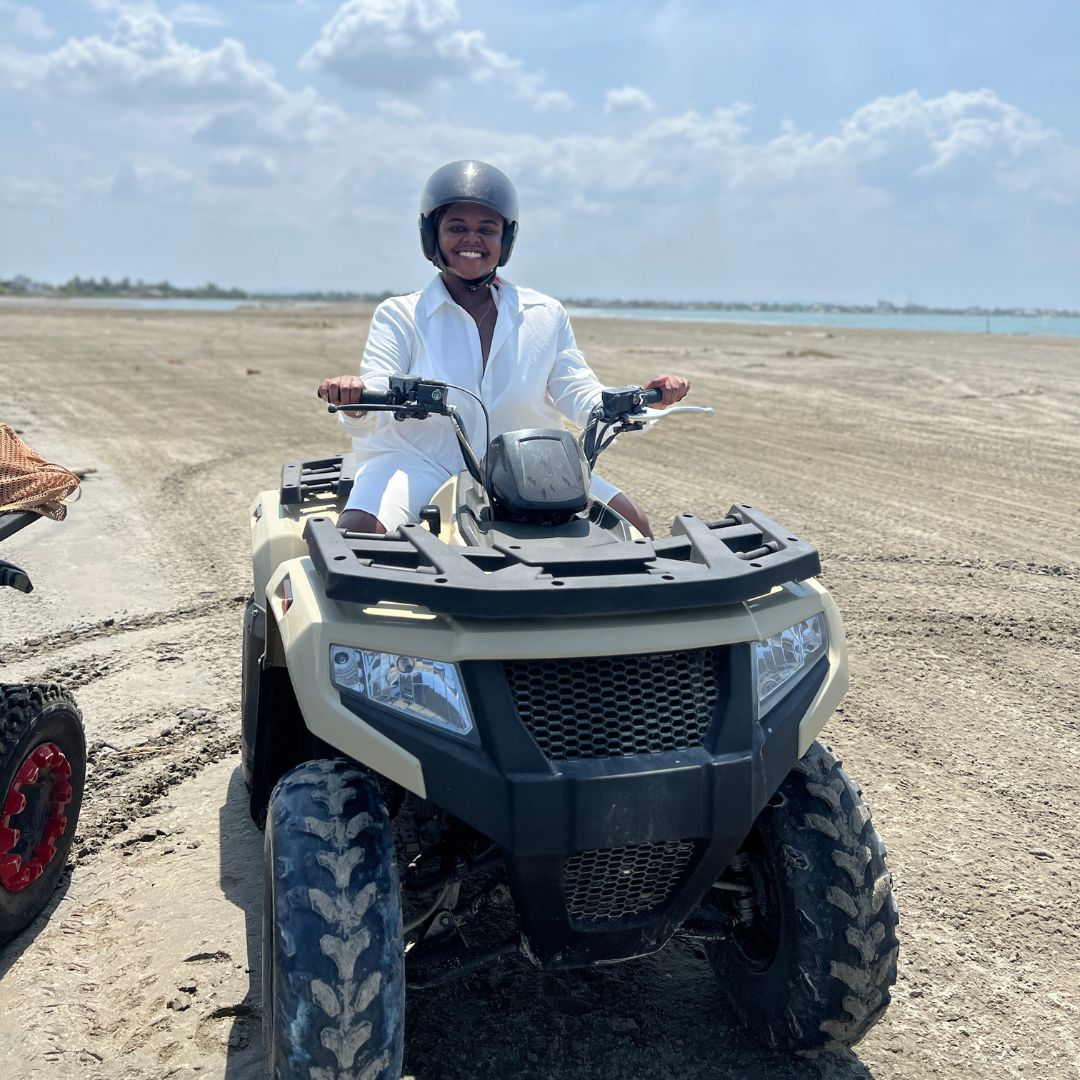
(613, 885)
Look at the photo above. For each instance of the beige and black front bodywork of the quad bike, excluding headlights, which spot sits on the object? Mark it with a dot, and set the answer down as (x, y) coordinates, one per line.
(606, 855)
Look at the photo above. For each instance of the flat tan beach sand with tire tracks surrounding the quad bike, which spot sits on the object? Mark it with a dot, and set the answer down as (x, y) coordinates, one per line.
(937, 474)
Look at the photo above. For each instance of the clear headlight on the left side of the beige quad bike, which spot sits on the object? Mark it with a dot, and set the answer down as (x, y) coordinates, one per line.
(426, 691)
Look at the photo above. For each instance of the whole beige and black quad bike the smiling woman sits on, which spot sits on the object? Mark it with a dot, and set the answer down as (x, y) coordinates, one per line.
(522, 730)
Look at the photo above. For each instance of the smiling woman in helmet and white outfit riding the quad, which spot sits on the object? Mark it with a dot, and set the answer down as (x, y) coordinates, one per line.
(512, 347)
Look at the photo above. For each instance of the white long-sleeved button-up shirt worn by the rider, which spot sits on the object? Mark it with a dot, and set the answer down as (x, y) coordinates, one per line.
(535, 374)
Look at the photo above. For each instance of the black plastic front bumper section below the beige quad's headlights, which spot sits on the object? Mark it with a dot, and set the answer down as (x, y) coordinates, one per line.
(607, 856)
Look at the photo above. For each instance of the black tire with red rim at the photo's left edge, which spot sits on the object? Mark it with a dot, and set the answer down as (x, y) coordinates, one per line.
(43, 742)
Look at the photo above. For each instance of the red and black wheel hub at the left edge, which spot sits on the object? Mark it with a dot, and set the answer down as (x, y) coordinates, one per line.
(34, 816)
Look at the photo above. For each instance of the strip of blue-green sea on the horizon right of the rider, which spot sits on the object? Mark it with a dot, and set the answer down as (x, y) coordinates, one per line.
(1046, 327)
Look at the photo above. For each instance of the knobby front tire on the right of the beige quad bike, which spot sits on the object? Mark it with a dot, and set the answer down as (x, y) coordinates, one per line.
(815, 966)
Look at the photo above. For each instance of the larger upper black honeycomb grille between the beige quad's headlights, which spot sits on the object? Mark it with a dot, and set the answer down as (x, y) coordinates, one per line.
(614, 707)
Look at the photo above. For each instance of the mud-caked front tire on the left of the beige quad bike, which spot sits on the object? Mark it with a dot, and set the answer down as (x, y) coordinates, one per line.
(333, 961)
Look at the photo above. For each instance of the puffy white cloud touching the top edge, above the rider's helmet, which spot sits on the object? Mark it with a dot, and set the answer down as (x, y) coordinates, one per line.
(411, 46)
